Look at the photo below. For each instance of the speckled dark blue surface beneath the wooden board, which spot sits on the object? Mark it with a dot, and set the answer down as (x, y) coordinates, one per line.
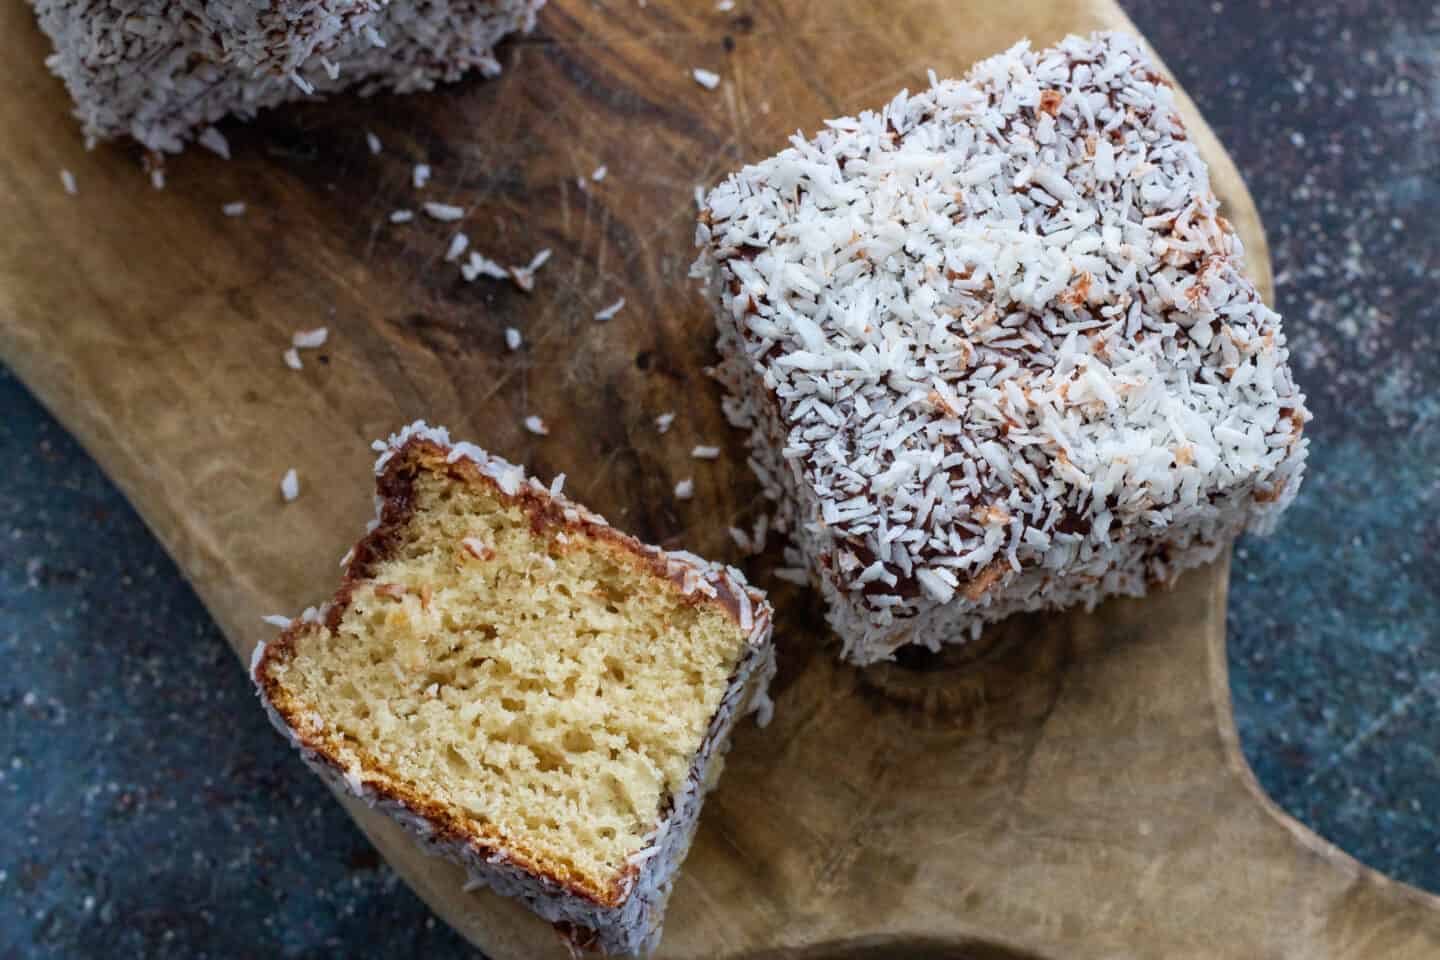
(148, 815)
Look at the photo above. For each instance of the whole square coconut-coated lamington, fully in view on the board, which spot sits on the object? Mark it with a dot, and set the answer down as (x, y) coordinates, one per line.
(996, 348)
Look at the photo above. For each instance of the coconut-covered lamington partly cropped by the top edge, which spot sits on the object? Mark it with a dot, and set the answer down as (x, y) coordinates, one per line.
(161, 71)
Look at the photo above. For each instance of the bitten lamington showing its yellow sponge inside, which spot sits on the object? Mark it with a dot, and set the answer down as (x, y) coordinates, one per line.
(536, 696)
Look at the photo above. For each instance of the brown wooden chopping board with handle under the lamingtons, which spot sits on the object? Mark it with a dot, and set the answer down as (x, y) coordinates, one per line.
(1071, 787)
